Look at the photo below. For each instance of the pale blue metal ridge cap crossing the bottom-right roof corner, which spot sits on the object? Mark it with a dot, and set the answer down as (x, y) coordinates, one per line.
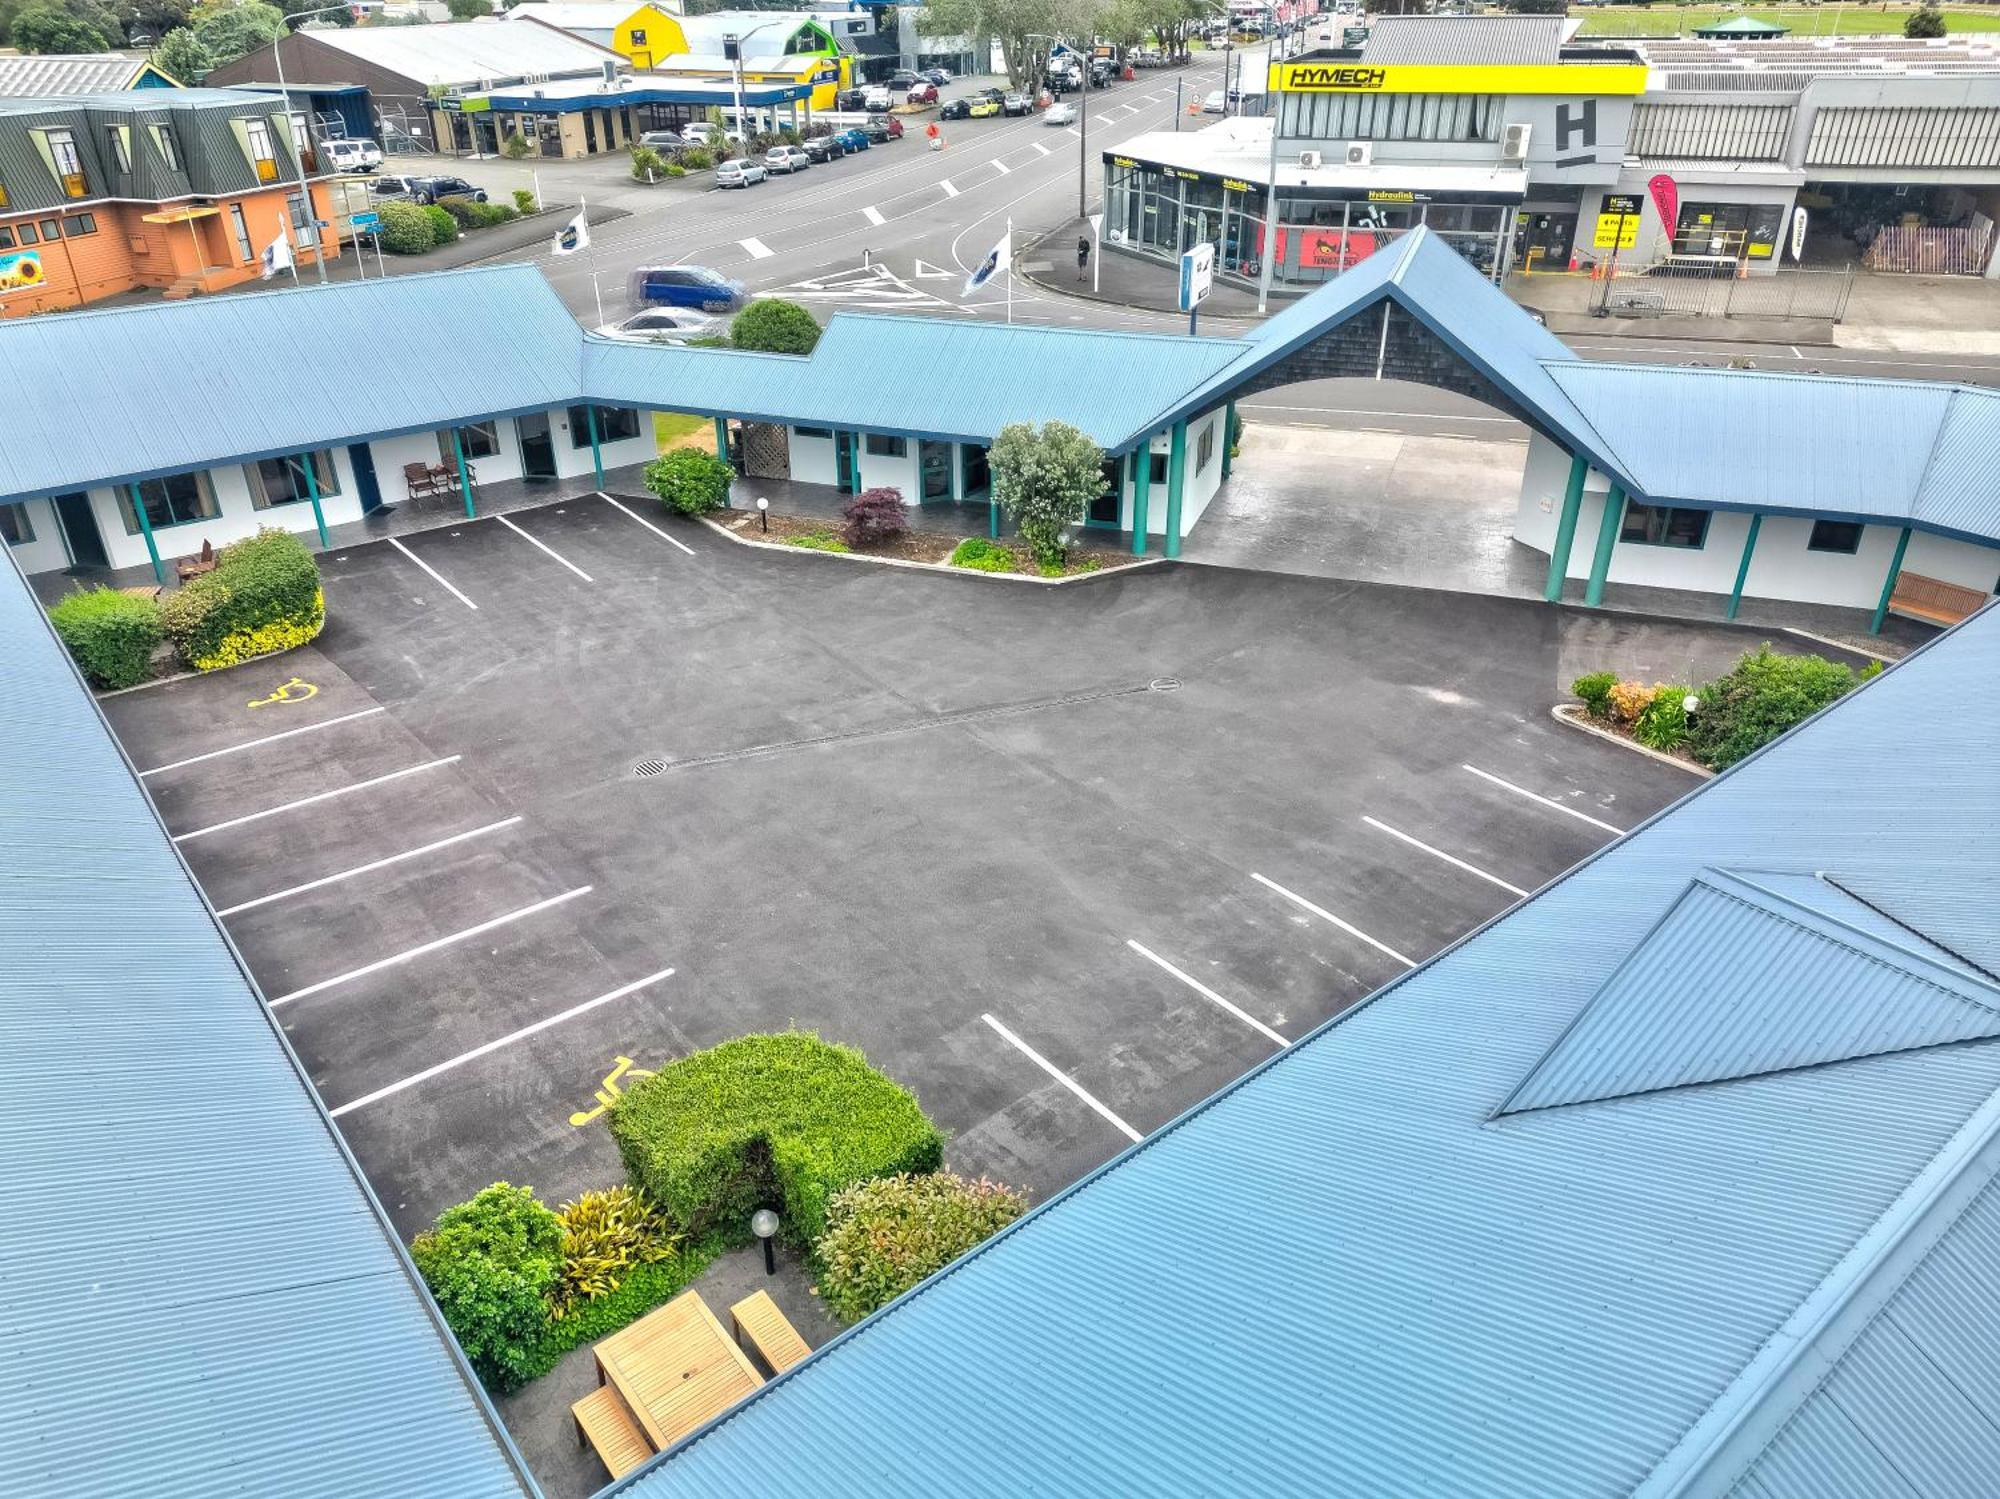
(1807, 1348)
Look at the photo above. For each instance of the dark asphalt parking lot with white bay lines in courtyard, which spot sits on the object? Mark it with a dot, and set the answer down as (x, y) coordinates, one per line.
(587, 788)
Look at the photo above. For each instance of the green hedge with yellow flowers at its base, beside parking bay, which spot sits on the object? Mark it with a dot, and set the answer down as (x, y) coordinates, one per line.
(263, 597)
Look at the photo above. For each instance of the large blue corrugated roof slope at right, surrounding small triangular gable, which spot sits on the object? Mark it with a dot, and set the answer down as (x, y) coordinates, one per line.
(1343, 1276)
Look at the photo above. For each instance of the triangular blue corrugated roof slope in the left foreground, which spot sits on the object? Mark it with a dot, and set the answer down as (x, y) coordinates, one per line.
(201, 1292)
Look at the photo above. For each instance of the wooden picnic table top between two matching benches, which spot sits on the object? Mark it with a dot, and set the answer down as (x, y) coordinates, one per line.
(677, 1368)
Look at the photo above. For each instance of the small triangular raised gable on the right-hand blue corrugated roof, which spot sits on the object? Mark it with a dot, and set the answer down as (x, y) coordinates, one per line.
(1735, 984)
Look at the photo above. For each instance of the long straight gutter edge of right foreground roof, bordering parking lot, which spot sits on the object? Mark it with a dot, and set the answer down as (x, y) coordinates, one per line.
(1229, 1090)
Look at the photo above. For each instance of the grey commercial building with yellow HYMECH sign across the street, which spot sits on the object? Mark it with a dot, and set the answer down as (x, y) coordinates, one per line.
(1529, 151)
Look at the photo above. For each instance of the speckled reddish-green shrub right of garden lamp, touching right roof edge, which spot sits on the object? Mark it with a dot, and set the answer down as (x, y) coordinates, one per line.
(887, 1236)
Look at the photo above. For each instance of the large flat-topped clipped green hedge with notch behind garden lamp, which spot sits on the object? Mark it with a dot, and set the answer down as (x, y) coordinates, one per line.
(763, 1120)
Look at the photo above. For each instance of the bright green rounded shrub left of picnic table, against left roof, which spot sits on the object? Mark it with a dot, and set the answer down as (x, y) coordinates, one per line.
(491, 1264)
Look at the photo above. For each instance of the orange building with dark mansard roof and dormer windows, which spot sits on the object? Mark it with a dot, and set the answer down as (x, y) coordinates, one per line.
(165, 189)
